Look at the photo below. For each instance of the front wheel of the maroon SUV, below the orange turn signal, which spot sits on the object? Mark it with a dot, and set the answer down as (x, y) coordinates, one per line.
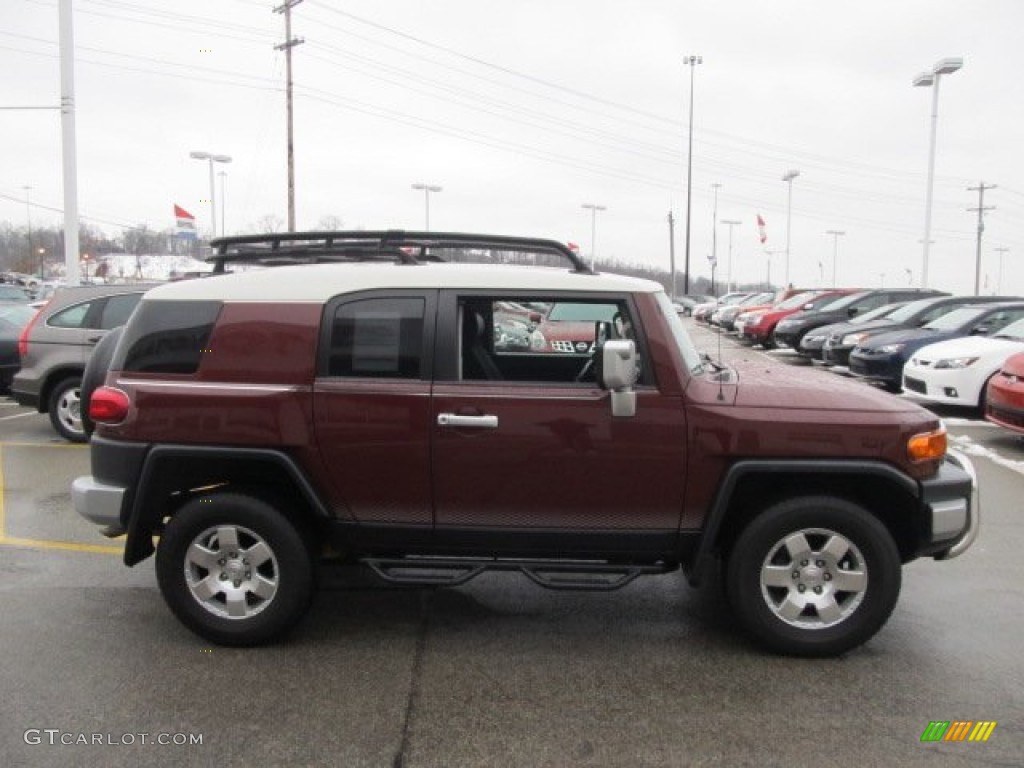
(824, 605)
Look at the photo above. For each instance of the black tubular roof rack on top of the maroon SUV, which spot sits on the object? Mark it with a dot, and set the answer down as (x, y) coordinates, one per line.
(390, 245)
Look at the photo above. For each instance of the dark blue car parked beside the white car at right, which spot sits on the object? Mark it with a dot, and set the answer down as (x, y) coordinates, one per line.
(881, 358)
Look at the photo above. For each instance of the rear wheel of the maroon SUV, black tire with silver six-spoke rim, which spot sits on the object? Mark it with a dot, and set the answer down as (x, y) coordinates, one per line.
(248, 560)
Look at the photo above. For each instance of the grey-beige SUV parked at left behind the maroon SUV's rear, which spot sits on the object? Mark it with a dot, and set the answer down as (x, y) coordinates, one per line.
(56, 347)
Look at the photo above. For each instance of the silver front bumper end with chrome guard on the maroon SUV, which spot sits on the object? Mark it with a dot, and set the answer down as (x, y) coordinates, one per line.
(954, 499)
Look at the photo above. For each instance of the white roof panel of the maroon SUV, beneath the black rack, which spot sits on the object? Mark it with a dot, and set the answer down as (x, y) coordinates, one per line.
(318, 283)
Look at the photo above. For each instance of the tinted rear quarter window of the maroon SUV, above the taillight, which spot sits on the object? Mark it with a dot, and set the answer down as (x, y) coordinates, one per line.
(166, 337)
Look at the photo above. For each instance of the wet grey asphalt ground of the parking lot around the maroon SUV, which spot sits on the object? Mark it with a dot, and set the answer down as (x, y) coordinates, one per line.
(95, 671)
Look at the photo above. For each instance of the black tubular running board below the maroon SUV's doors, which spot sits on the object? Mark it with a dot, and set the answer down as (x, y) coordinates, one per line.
(556, 575)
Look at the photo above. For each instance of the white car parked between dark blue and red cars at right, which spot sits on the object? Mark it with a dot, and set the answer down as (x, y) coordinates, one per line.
(957, 371)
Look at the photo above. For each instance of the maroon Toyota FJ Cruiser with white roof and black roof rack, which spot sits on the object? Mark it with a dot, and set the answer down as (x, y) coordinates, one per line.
(255, 422)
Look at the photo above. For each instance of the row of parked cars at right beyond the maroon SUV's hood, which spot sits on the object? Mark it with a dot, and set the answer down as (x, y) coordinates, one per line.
(954, 351)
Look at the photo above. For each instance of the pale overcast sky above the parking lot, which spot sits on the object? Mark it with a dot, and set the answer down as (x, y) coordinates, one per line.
(524, 111)
